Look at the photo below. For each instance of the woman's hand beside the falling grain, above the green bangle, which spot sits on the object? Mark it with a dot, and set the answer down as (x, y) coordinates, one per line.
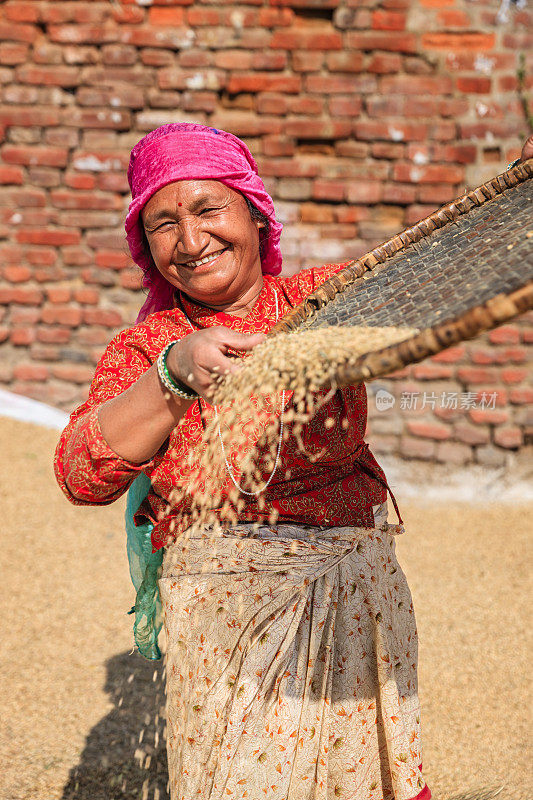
(198, 359)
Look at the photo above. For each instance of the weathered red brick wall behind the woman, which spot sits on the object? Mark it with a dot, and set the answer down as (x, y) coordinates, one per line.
(363, 115)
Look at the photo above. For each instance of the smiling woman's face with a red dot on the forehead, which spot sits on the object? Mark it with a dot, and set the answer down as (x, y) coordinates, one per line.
(204, 241)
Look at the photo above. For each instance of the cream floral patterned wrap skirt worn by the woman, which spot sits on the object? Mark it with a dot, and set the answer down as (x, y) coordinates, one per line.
(291, 666)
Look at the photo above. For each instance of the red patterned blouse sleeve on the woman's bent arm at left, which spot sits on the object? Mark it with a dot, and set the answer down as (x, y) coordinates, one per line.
(88, 471)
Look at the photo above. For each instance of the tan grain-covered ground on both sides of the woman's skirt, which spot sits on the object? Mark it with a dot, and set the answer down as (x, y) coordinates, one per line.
(81, 717)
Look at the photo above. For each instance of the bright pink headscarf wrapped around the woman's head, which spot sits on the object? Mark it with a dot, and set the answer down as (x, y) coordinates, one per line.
(186, 151)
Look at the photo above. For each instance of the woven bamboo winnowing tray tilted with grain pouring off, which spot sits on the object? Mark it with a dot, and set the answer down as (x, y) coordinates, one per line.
(465, 269)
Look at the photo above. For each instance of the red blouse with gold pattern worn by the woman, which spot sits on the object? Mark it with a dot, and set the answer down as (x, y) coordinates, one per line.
(337, 481)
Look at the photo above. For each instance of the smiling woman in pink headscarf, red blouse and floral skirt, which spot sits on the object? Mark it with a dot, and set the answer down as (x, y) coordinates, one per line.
(291, 671)
